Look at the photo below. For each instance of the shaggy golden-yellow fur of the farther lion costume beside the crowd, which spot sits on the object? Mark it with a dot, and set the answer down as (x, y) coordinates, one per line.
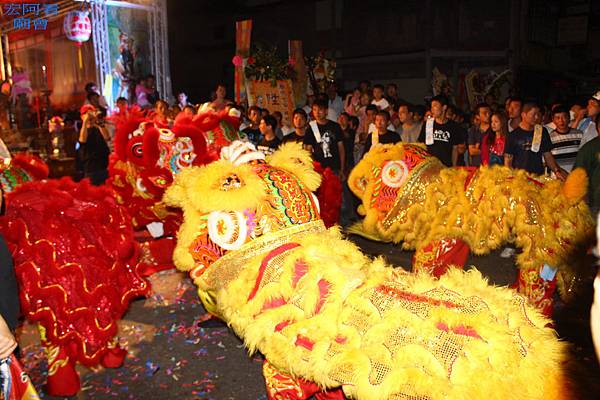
(498, 205)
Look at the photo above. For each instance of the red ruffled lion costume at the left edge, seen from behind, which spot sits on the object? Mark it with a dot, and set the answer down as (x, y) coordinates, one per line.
(76, 264)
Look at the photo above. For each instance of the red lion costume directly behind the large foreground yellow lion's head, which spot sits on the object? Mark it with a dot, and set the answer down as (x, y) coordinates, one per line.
(146, 159)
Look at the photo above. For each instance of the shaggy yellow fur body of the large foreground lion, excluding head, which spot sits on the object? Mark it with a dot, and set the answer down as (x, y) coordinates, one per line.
(377, 346)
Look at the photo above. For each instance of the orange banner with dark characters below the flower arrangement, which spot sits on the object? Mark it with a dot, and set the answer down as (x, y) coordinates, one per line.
(274, 98)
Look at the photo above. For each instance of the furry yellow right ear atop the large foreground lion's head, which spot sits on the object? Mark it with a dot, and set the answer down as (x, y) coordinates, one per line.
(293, 158)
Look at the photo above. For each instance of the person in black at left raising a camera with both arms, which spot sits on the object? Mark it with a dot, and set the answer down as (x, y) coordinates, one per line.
(93, 149)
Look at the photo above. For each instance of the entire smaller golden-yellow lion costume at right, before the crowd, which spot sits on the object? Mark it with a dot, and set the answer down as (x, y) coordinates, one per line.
(409, 196)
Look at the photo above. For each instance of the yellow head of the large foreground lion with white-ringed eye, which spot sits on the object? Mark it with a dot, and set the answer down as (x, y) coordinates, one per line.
(239, 198)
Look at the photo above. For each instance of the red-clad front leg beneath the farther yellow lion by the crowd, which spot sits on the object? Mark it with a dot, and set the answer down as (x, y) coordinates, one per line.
(437, 256)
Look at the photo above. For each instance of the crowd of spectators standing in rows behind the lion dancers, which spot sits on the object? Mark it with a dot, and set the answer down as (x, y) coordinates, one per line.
(338, 130)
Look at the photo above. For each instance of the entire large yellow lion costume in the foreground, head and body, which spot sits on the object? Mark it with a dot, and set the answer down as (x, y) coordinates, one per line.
(327, 317)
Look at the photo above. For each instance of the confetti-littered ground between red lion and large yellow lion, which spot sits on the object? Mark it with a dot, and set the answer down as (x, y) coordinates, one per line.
(169, 354)
